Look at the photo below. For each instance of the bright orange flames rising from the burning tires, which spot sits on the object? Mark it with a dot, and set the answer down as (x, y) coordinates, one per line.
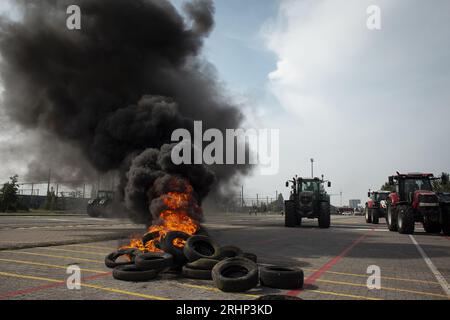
(174, 218)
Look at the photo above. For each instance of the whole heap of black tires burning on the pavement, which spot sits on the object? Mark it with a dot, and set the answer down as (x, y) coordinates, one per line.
(231, 269)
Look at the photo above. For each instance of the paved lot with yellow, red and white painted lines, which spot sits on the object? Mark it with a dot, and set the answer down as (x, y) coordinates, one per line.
(35, 252)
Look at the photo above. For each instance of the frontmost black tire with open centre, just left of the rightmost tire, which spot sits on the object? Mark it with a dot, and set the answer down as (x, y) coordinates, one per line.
(235, 275)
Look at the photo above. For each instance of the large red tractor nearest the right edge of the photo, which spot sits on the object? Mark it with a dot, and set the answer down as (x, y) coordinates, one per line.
(415, 201)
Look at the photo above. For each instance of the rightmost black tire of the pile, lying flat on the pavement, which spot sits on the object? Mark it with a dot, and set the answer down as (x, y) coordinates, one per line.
(281, 277)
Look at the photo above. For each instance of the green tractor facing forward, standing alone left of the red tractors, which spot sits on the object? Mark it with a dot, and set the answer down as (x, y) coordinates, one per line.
(308, 200)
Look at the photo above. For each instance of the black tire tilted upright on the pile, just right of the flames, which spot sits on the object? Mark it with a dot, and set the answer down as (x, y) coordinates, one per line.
(198, 247)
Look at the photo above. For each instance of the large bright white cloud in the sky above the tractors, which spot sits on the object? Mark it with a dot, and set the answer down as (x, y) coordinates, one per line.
(365, 103)
